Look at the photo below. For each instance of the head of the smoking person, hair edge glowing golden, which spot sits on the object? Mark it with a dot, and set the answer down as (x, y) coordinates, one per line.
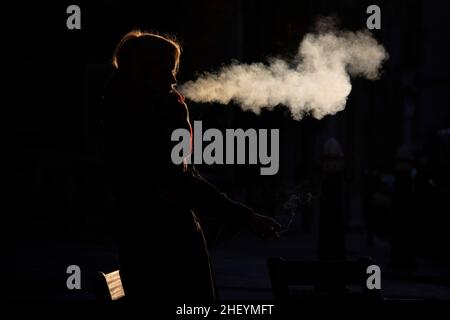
(149, 60)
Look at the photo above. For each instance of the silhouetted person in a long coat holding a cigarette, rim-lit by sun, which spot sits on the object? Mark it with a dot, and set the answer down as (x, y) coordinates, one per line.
(162, 247)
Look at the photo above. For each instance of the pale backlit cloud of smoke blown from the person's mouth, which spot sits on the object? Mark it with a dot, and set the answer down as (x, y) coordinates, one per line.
(316, 82)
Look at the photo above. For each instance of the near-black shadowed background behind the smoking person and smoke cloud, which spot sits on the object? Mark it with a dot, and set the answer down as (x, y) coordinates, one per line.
(58, 209)
